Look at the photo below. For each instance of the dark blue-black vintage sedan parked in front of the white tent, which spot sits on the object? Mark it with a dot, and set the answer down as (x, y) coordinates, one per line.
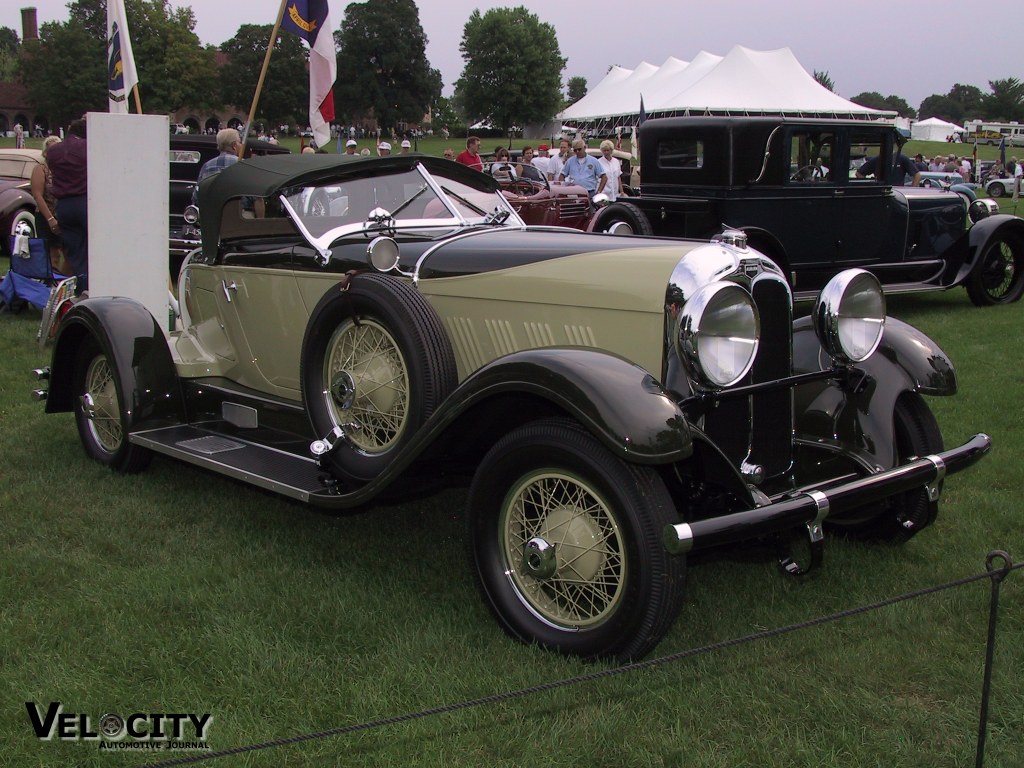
(791, 186)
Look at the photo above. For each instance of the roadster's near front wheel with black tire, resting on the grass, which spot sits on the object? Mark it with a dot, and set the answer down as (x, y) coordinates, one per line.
(566, 542)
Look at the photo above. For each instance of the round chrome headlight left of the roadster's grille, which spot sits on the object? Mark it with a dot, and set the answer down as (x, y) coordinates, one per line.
(719, 331)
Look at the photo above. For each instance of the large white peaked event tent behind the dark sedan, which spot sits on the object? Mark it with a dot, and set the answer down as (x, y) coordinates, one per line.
(744, 82)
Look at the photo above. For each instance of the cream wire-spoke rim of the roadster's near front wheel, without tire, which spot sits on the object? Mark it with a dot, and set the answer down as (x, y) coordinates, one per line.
(586, 585)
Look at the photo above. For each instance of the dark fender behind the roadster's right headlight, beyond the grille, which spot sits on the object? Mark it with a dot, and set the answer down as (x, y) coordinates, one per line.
(858, 417)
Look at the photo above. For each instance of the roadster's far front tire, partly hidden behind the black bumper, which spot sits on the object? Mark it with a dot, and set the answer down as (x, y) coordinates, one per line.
(903, 517)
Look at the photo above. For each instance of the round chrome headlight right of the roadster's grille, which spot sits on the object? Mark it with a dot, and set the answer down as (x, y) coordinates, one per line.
(850, 316)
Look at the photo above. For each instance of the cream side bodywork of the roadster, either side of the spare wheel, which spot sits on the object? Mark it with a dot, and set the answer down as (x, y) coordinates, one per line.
(247, 323)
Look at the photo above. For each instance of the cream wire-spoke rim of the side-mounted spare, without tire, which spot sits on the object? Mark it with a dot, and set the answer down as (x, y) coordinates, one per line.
(369, 385)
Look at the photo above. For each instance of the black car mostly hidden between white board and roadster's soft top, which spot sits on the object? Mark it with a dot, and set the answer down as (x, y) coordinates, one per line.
(187, 156)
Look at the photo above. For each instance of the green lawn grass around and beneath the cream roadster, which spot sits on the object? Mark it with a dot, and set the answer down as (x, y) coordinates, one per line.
(180, 591)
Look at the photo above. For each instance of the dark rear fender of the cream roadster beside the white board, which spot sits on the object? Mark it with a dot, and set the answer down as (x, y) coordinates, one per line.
(133, 339)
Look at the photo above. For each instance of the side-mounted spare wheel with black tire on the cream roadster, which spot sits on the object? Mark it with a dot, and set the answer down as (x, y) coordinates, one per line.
(376, 363)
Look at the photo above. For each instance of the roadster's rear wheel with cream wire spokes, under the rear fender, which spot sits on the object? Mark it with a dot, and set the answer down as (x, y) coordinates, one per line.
(101, 416)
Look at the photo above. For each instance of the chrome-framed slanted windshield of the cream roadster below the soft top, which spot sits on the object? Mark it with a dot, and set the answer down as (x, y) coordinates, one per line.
(411, 198)
